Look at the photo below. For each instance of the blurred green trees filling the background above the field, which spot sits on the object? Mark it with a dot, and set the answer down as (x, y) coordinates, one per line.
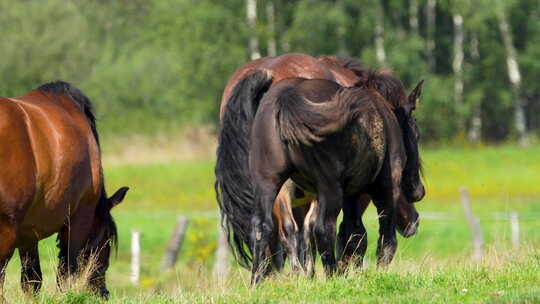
(159, 66)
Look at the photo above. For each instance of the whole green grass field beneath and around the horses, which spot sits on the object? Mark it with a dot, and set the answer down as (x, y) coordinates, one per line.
(433, 266)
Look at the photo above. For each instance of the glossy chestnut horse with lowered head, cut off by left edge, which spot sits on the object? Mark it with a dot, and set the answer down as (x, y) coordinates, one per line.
(52, 181)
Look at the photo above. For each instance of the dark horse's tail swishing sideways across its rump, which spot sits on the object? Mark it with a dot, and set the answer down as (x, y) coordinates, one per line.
(303, 122)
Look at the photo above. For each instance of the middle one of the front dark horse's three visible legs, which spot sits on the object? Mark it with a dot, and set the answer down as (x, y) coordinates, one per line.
(330, 197)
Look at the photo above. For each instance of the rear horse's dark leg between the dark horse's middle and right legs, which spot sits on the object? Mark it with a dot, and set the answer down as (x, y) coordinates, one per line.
(352, 236)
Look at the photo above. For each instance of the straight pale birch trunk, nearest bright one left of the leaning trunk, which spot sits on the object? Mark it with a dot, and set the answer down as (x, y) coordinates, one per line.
(457, 66)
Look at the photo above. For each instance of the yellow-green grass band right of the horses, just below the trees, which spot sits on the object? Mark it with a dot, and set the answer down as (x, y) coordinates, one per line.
(502, 172)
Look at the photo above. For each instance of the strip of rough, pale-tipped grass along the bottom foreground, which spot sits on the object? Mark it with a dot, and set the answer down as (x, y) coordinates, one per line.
(504, 276)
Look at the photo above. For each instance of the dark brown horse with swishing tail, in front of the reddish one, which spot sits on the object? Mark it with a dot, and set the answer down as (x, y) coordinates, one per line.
(336, 142)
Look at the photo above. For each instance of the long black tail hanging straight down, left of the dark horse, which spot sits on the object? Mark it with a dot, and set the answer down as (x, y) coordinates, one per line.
(233, 184)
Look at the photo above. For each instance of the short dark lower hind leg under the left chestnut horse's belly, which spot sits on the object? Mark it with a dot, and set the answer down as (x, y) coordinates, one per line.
(31, 276)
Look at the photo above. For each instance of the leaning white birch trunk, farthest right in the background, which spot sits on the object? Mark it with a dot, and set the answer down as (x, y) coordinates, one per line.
(514, 74)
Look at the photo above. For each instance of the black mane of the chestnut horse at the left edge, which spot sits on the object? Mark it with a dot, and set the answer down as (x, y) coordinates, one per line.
(58, 88)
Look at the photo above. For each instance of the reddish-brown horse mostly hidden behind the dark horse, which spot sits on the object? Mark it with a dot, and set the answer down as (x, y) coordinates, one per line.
(239, 104)
